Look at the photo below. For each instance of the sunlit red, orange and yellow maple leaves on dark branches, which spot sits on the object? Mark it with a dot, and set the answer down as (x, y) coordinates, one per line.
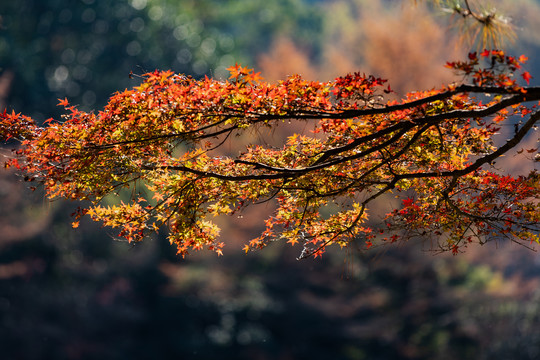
(156, 148)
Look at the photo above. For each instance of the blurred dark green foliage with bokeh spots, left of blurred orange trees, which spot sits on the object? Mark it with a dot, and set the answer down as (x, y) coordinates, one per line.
(85, 50)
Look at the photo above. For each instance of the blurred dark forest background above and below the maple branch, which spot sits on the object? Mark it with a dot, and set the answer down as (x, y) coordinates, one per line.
(79, 294)
